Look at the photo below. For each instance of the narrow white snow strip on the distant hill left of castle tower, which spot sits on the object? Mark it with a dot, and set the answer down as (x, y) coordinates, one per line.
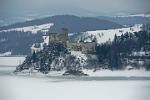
(34, 29)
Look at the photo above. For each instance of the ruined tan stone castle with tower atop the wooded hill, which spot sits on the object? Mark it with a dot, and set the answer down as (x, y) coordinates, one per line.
(84, 47)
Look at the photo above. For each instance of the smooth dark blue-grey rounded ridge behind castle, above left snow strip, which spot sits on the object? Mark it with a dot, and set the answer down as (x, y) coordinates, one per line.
(73, 23)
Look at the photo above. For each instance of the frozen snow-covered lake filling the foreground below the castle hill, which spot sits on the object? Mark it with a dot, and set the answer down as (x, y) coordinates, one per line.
(26, 87)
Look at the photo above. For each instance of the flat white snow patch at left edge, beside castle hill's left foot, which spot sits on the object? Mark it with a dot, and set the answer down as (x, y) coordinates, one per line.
(11, 60)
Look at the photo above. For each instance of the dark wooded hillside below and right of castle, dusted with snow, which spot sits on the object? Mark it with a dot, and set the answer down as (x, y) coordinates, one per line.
(129, 50)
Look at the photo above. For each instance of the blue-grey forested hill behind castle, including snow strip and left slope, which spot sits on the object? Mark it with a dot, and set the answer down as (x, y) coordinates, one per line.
(19, 37)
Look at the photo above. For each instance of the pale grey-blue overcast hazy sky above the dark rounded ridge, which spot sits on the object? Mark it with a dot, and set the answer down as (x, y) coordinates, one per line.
(74, 7)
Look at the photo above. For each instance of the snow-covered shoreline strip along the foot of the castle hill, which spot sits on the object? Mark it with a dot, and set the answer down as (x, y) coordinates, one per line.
(106, 74)
